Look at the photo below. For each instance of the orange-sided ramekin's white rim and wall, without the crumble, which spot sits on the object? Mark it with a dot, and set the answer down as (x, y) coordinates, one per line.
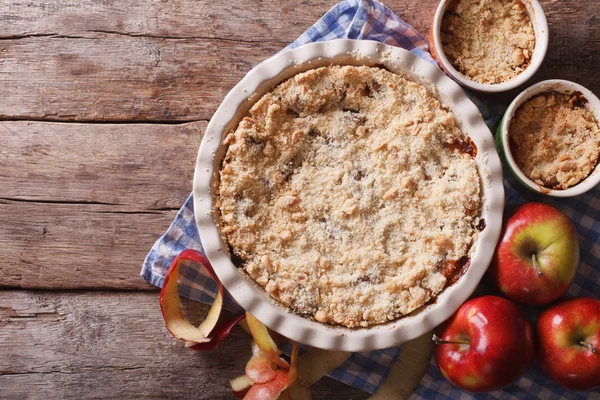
(540, 26)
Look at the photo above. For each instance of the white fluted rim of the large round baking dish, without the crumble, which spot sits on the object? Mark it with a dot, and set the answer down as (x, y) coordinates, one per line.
(252, 297)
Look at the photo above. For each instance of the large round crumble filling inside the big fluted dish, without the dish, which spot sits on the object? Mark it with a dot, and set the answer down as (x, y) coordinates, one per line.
(347, 194)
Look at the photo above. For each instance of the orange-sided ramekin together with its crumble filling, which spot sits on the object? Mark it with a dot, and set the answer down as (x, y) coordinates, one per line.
(489, 45)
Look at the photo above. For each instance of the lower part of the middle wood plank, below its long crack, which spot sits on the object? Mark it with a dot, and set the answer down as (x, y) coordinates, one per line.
(56, 246)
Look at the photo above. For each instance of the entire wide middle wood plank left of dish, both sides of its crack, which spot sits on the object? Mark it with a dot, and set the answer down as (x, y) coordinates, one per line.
(81, 204)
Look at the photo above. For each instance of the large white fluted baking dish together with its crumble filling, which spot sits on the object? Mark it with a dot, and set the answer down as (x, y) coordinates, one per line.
(299, 186)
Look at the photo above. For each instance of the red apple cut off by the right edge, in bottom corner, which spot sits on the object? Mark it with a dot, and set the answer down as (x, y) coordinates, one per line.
(568, 337)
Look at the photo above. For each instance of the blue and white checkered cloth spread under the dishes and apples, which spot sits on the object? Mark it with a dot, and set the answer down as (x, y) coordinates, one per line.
(366, 19)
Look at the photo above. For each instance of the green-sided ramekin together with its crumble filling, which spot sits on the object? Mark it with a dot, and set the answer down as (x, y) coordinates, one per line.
(550, 138)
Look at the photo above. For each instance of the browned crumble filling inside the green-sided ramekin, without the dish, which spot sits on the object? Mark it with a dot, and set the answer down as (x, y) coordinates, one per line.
(555, 140)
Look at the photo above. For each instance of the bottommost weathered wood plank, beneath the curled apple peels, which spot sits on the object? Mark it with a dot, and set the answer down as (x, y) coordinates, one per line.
(102, 345)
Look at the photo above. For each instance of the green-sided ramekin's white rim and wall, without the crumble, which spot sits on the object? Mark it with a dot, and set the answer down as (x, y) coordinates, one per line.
(502, 142)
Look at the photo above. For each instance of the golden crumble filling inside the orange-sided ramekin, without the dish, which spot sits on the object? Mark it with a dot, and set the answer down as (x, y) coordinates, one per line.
(489, 41)
